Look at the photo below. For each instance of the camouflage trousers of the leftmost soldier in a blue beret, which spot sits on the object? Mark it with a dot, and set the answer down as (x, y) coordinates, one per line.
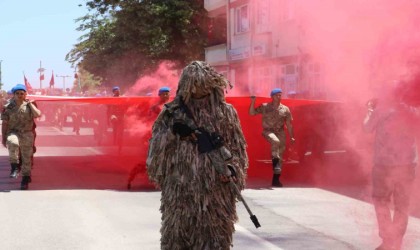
(25, 142)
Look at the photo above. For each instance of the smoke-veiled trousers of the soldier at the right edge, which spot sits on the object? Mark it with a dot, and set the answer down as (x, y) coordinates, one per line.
(395, 182)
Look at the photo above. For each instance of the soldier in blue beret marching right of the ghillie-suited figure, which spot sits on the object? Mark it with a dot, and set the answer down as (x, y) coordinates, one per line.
(274, 117)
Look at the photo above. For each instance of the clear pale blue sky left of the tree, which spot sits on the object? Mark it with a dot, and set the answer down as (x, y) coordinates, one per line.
(33, 31)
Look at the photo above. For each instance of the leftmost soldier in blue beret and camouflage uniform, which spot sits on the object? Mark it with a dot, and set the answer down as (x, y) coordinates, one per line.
(18, 132)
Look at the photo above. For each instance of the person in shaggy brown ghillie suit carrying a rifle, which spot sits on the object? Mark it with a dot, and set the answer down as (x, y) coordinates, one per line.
(197, 204)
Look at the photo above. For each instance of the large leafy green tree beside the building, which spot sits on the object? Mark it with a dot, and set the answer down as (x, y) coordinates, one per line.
(125, 39)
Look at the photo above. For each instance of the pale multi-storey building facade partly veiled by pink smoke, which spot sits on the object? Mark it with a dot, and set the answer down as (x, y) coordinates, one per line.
(263, 47)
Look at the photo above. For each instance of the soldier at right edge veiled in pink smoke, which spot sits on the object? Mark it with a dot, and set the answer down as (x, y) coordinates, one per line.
(394, 161)
